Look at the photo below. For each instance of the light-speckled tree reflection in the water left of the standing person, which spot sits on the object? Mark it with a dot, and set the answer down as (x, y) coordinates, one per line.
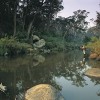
(70, 69)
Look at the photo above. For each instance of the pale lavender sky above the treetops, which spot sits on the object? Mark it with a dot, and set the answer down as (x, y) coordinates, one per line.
(73, 5)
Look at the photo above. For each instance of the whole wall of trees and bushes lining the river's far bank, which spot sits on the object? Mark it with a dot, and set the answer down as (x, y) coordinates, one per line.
(20, 20)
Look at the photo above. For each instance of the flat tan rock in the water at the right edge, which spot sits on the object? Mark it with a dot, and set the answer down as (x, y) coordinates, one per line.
(93, 72)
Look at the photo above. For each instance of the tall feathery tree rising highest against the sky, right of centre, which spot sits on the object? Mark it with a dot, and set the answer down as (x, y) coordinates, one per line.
(76, 25)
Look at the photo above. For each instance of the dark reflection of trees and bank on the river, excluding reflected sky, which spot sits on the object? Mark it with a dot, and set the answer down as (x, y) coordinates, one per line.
(19, 74)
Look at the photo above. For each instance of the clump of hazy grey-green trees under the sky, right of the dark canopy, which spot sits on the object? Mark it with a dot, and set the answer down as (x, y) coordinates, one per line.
(73, 26)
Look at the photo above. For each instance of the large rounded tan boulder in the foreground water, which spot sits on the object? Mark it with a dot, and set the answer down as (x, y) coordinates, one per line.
(43, 92)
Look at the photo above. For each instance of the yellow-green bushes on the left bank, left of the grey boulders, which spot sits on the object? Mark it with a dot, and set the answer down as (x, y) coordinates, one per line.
(12, 47)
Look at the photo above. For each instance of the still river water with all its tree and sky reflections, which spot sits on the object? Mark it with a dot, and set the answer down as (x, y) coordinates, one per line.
(63, 70)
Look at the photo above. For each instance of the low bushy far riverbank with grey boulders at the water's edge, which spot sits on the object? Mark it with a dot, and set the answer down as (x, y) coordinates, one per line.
(46, 44)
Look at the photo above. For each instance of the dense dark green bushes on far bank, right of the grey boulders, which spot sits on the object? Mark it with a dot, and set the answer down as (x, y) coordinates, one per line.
(59, 44)
